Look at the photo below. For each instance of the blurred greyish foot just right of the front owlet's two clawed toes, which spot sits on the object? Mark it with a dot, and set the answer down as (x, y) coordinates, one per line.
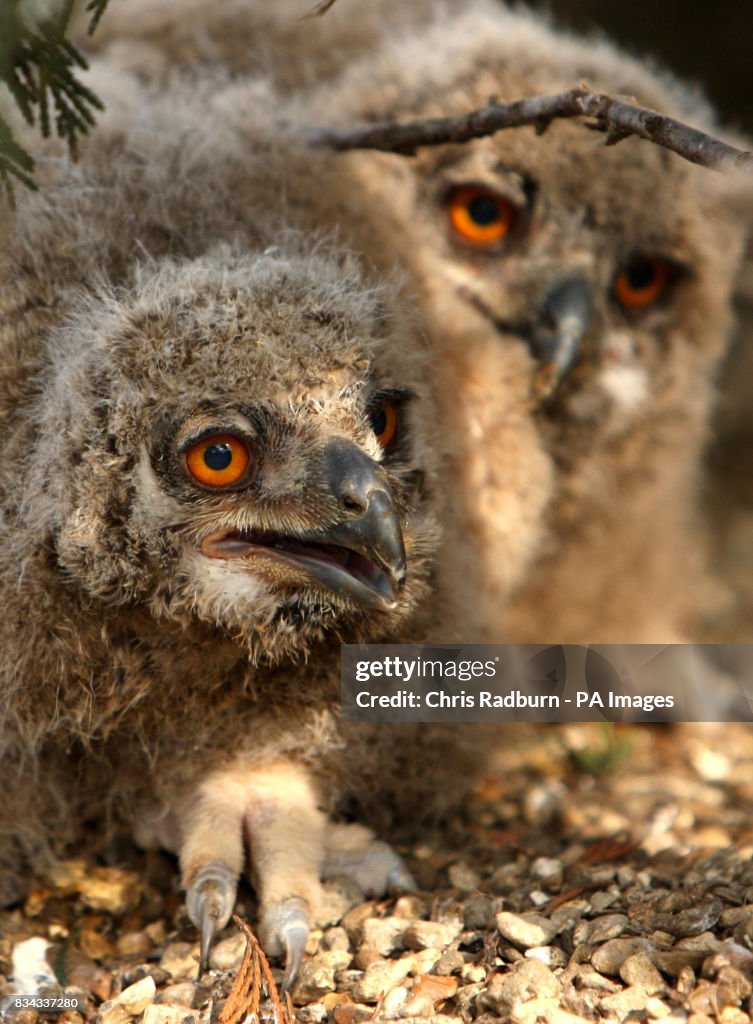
(373, 866)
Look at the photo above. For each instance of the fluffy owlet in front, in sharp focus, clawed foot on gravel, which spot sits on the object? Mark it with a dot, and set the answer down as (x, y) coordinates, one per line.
(215, 471)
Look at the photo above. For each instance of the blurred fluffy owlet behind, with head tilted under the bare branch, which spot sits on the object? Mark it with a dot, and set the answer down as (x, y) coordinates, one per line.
(577, 297)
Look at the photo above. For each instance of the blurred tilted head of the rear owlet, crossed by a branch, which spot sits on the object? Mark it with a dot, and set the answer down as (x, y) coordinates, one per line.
(607, 270)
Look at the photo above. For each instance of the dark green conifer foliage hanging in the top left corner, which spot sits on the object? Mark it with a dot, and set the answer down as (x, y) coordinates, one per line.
(40, 68)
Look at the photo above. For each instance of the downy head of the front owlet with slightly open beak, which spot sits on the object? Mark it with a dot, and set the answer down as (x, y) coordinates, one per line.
(237, 440)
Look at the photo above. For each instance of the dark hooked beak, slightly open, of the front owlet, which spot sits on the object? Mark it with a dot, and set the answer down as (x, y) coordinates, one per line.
(361, 558)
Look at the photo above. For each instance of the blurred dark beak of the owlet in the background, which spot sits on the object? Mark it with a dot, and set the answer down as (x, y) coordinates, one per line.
(564, 320)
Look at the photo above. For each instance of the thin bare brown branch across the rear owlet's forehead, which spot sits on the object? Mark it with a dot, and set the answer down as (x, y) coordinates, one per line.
(616, 117)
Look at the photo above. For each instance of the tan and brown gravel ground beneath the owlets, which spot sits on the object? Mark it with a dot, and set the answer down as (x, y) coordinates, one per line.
(599, 875)
